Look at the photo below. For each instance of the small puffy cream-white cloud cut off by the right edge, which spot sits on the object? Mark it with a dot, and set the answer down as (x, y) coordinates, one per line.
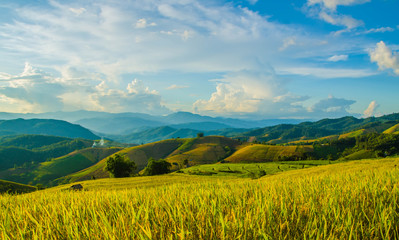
(385, 58)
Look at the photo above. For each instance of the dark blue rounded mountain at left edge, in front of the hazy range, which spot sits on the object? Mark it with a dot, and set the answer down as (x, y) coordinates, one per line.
(45, 127)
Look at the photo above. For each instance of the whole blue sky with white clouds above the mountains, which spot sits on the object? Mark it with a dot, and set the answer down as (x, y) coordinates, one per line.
(258, 59)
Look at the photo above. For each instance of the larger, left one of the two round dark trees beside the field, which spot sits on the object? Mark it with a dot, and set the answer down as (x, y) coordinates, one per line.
(120, 166)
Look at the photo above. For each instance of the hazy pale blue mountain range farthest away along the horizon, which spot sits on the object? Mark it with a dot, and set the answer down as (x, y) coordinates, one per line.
(125, 123)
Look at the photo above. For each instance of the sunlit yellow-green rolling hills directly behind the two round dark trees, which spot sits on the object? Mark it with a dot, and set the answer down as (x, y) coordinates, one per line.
(196, 151)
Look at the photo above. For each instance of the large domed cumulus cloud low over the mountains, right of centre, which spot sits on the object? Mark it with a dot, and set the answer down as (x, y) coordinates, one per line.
(247, 93)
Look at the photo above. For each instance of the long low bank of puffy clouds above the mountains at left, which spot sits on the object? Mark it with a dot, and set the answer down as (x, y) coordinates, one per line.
(36, 91)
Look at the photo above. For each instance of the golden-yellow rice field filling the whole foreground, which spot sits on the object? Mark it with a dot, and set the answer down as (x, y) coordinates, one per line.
(353, 200)
